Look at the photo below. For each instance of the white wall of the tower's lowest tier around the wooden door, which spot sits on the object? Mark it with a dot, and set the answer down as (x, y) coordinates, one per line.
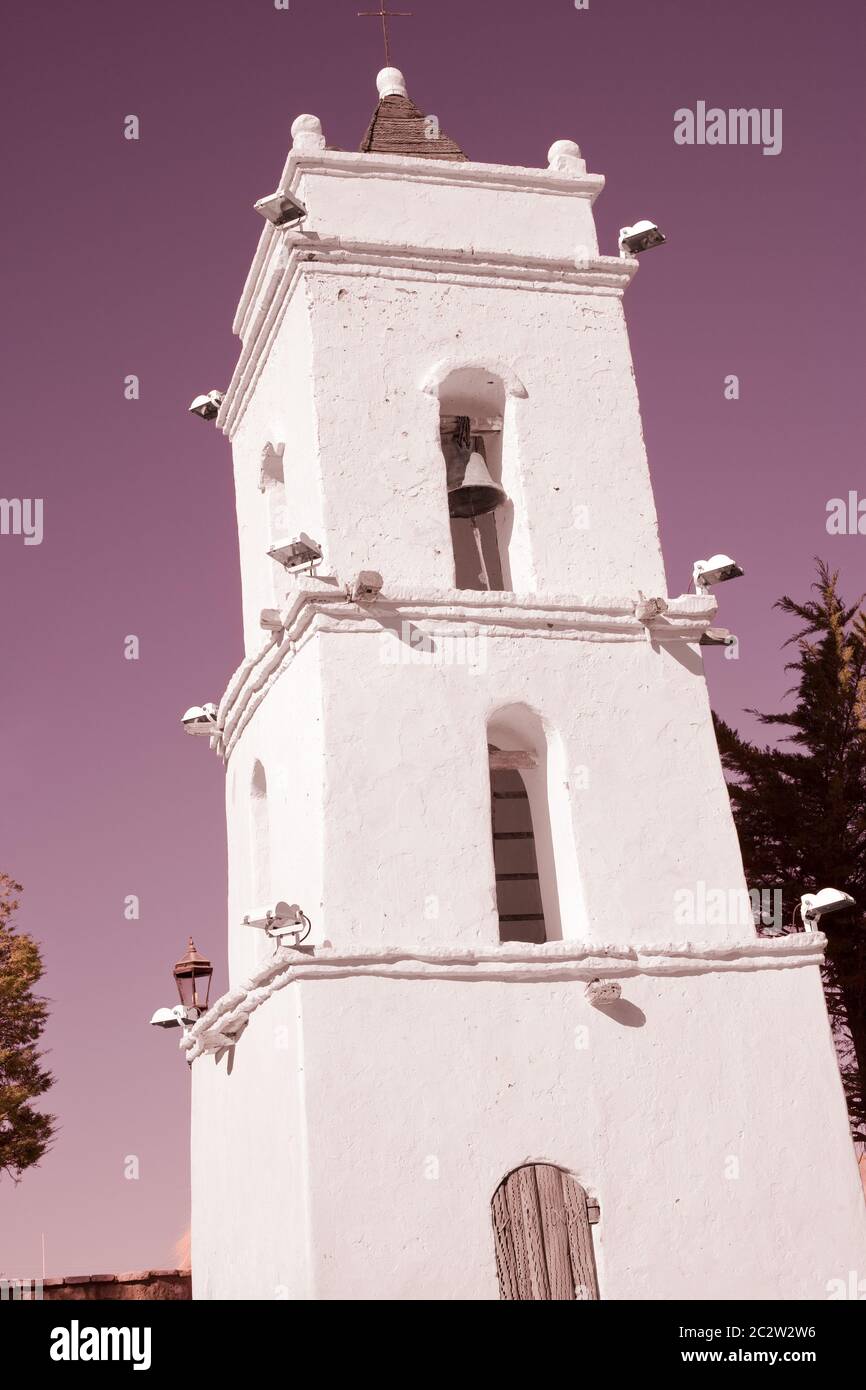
(715, 1179)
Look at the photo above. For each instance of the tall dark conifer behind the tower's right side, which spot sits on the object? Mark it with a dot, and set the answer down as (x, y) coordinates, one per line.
(801, 806)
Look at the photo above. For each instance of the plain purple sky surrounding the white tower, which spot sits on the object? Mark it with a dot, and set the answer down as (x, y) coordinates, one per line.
(130, 258)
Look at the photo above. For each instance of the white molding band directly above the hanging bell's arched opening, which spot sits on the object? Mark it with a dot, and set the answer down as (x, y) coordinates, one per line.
(297, 255)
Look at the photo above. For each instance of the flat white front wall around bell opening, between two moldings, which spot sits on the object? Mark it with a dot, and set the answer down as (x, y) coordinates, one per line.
(576, 436)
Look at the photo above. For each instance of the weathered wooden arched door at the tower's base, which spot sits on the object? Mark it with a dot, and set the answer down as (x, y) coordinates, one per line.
(543, 1236)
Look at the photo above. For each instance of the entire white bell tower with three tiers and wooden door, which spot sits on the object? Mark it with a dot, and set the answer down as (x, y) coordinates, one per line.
(509, 1058)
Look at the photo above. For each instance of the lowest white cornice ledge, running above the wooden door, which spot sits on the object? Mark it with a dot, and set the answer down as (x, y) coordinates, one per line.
(519, 963)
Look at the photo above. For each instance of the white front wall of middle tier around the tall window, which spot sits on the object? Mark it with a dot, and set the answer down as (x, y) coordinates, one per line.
(408, 819)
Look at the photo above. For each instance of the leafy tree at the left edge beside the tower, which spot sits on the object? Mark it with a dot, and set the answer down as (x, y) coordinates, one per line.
(26, 1132)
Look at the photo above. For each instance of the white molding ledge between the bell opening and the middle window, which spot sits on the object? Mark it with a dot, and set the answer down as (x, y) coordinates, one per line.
(322, 607)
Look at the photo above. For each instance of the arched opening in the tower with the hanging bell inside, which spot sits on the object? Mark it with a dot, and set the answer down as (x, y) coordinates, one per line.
(472, 423)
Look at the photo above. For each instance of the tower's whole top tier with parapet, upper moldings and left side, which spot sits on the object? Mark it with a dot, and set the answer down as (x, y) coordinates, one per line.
(352, 325)
